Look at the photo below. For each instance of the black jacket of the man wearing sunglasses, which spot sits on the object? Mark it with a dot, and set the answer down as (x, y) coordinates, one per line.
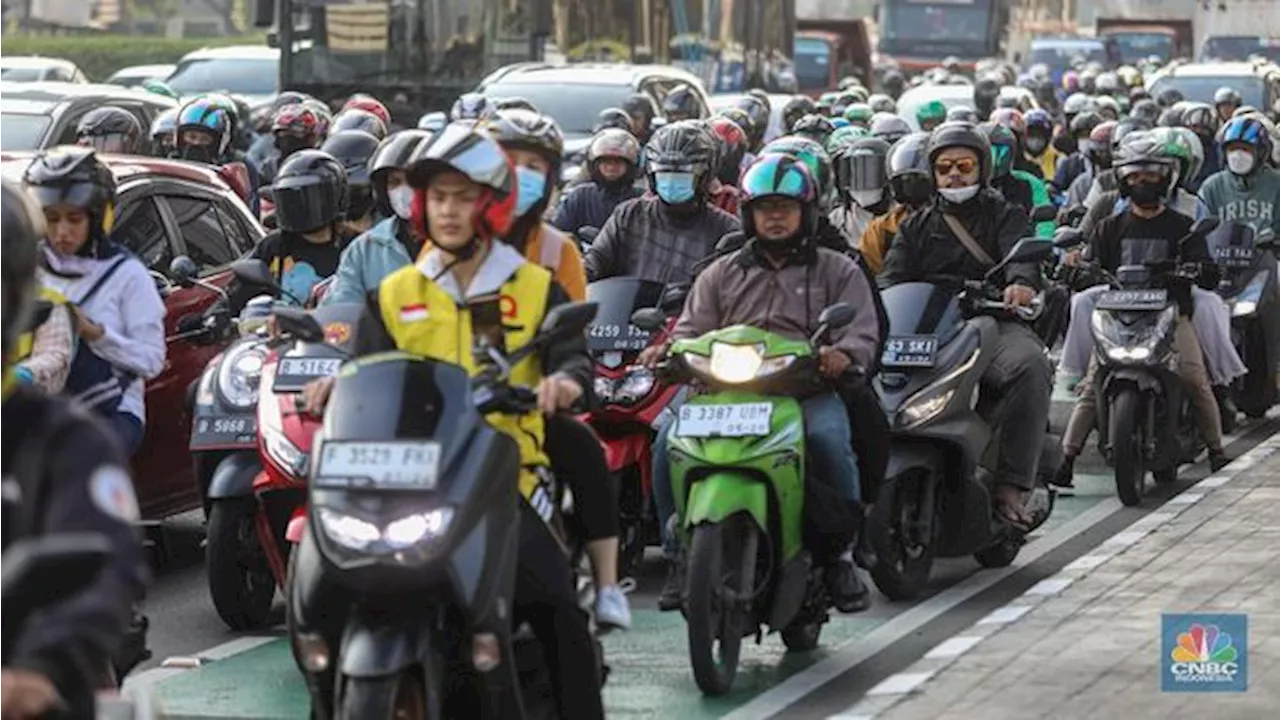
(926, 247)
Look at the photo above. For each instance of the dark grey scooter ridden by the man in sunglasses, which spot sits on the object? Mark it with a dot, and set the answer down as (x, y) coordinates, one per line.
(936, 500)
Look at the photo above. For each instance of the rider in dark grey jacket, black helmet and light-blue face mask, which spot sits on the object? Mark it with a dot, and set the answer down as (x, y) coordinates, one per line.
(661, 238)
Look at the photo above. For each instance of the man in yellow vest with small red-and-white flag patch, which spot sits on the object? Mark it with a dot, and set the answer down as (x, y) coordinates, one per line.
(467, 199)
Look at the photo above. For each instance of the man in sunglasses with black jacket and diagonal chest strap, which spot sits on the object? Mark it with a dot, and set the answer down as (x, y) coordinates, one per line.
(964, 233)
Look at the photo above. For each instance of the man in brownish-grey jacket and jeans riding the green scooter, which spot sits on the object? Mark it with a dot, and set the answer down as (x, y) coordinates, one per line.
(779, 281)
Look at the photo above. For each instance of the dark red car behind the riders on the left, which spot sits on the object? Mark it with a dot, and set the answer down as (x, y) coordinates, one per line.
(170, 208)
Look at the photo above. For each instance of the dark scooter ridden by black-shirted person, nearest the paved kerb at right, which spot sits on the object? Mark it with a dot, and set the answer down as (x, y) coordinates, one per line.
(1145, 418)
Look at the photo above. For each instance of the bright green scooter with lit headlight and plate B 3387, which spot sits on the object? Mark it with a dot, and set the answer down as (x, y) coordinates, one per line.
(738, 472)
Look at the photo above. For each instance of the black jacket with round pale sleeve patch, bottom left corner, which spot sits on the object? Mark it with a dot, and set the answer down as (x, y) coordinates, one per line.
(65, 473)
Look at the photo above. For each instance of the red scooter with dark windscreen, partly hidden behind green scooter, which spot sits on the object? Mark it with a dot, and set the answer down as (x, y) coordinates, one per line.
(632, 402)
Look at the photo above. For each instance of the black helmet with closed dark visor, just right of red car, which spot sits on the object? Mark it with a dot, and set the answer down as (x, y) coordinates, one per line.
(310, 192)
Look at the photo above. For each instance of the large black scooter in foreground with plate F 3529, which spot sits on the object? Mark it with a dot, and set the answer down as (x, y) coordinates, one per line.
(400, 595)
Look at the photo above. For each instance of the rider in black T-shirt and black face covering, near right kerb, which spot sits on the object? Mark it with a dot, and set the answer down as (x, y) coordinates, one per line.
(1150, 231)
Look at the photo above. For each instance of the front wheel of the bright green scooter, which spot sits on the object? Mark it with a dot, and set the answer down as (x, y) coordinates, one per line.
(721, 563)
